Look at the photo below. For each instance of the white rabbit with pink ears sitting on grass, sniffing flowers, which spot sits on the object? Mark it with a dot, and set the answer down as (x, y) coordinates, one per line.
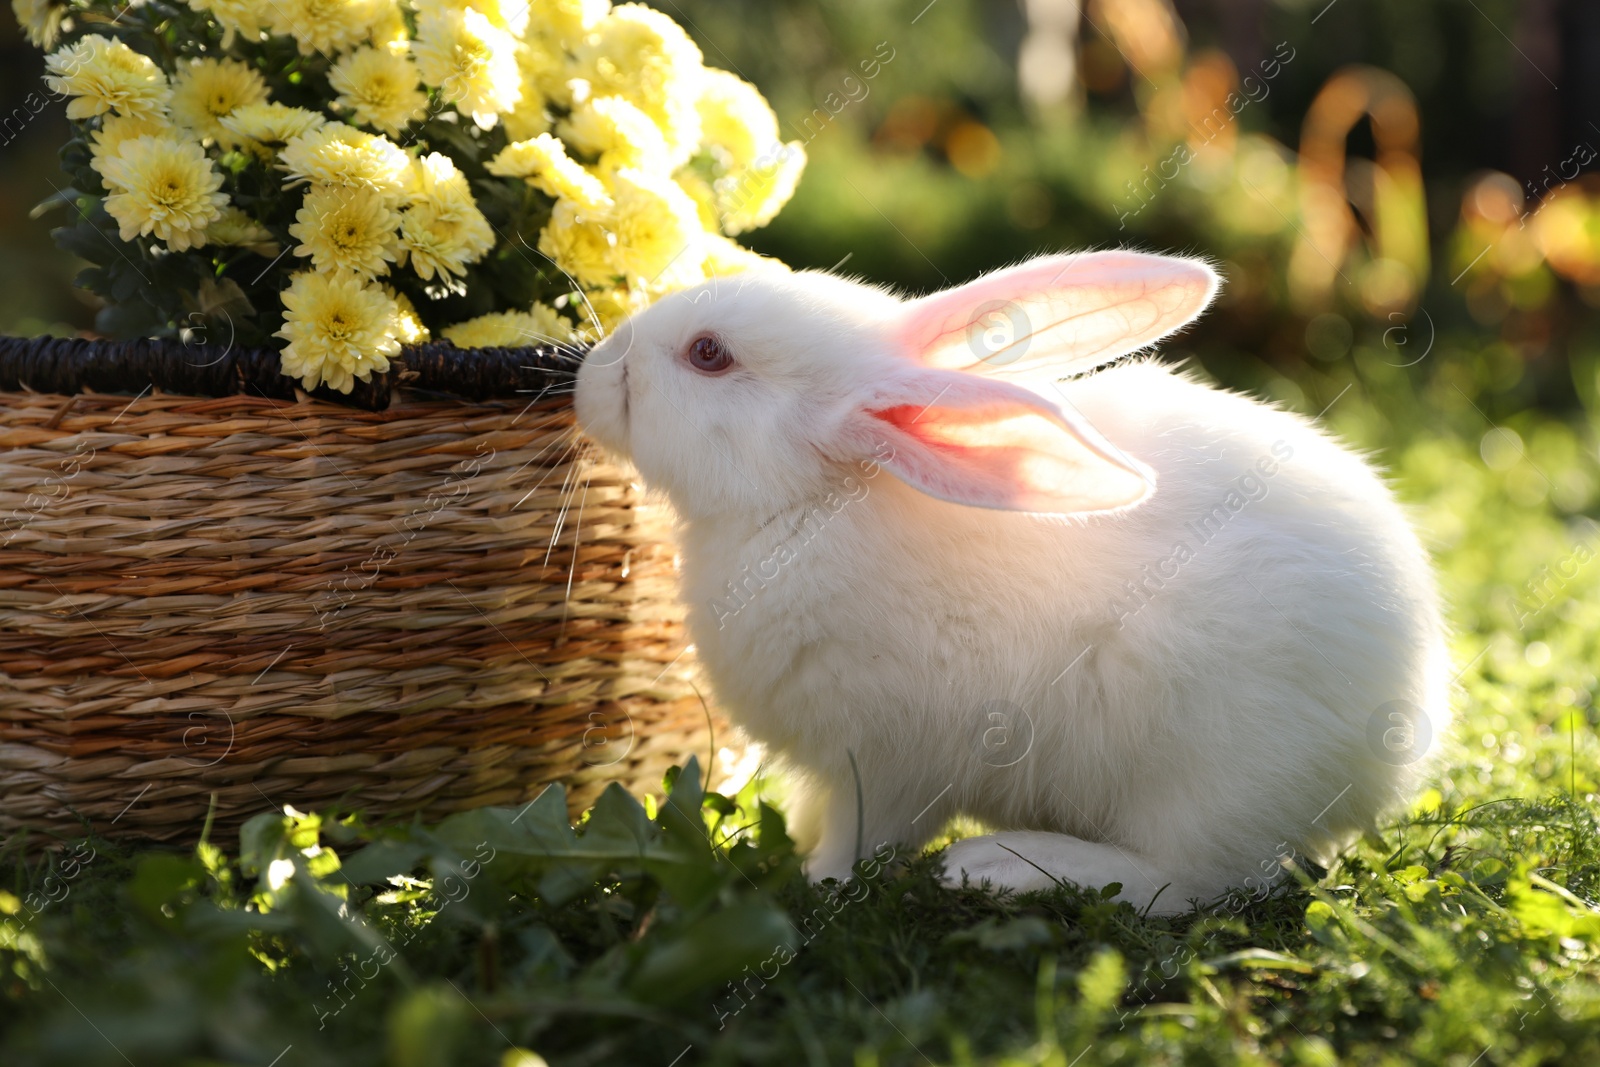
(1154, 633)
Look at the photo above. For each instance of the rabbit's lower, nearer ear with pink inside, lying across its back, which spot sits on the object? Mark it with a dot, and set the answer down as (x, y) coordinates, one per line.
(991, 444)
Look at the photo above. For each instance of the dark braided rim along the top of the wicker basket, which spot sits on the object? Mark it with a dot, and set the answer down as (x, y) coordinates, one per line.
(73, 366)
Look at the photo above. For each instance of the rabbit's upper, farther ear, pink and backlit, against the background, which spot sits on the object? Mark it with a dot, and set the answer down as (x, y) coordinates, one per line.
(1057, 316)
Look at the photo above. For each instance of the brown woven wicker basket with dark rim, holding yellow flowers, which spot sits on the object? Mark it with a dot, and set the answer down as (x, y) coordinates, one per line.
(425, 607)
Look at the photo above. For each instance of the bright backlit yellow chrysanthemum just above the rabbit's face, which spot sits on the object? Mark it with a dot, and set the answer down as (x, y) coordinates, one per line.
(658, 233)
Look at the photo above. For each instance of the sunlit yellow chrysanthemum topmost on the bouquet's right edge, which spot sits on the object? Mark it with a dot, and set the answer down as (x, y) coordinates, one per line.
(644, 57)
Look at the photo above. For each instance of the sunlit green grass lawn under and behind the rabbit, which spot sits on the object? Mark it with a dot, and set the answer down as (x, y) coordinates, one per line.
(1465, 937)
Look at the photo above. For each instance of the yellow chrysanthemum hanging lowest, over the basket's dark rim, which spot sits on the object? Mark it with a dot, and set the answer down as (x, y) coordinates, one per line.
(338, 330)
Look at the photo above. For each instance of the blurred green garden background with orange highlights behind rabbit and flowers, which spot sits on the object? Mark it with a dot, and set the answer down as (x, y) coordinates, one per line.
(1383, 183)
